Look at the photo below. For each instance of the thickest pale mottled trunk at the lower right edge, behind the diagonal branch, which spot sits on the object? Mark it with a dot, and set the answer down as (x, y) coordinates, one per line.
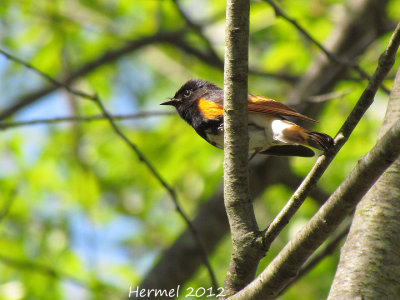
(369, 265)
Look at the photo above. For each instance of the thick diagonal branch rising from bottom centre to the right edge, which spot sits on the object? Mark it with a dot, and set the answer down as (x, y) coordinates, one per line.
(286, 265)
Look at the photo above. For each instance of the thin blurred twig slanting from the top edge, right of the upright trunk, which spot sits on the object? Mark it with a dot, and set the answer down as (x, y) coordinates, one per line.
(331, 56)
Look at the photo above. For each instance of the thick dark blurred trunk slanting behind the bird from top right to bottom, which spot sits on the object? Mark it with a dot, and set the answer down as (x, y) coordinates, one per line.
(210, 219)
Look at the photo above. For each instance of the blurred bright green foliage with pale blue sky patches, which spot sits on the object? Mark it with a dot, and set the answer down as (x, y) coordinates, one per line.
(80, 216)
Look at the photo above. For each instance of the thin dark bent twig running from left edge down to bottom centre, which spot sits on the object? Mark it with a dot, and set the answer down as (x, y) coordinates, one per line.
(135, 149)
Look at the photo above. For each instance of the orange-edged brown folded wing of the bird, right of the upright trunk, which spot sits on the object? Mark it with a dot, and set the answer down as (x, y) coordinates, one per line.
(268, 106)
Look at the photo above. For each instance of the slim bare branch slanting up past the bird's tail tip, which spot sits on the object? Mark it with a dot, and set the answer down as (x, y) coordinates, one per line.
(386, 61)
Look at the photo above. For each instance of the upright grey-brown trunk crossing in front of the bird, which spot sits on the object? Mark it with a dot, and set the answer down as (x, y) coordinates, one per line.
(242, 221)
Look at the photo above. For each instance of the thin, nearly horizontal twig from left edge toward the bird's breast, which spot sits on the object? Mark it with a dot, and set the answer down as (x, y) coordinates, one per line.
(46, 121)
